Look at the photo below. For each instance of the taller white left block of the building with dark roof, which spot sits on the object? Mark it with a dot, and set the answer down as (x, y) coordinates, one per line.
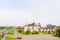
(32, 27)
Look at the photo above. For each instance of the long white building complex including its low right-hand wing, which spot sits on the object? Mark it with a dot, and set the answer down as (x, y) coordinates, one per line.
(37, 27)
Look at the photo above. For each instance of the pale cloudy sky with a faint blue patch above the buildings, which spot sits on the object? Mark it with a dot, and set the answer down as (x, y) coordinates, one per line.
(21, 12)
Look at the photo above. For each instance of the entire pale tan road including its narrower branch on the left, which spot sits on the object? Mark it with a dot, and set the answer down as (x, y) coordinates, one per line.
(34, 37)
